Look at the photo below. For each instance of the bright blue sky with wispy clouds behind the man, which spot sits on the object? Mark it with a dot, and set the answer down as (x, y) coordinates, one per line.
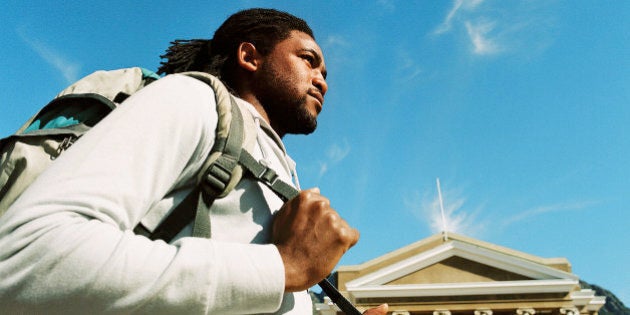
(520, 108)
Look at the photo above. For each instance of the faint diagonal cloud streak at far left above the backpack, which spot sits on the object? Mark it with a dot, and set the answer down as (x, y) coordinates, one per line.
(68, 69)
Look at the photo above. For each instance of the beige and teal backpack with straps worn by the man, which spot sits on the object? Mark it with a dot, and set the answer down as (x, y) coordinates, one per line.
(75, 110)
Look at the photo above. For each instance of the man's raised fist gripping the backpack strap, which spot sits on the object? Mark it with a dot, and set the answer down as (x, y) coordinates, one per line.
(311, 238)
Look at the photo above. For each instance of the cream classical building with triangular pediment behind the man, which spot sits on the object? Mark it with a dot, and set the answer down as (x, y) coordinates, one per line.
(453, 275)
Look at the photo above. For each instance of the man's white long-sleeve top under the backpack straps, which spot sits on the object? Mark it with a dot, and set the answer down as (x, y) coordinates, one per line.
(66, 244)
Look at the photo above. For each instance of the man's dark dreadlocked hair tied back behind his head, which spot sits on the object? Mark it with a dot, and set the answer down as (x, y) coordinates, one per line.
(262, 27)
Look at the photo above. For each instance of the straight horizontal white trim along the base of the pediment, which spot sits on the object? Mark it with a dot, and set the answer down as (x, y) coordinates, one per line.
(469, 288)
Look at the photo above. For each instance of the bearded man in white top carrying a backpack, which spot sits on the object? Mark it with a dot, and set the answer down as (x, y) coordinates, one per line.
(66, 244)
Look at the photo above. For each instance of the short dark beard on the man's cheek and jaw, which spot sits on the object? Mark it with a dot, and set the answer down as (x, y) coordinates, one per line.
(284, 103)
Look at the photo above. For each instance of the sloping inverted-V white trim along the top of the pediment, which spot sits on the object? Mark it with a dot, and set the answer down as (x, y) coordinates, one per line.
(457, 248)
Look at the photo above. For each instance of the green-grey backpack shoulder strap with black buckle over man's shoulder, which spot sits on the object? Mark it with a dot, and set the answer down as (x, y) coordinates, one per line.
(220, 172)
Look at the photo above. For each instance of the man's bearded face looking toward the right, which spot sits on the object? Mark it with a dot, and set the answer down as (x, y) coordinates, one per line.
(291, 84)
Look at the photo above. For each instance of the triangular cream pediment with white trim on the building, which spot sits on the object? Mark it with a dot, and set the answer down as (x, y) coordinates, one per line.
(457, 267)
